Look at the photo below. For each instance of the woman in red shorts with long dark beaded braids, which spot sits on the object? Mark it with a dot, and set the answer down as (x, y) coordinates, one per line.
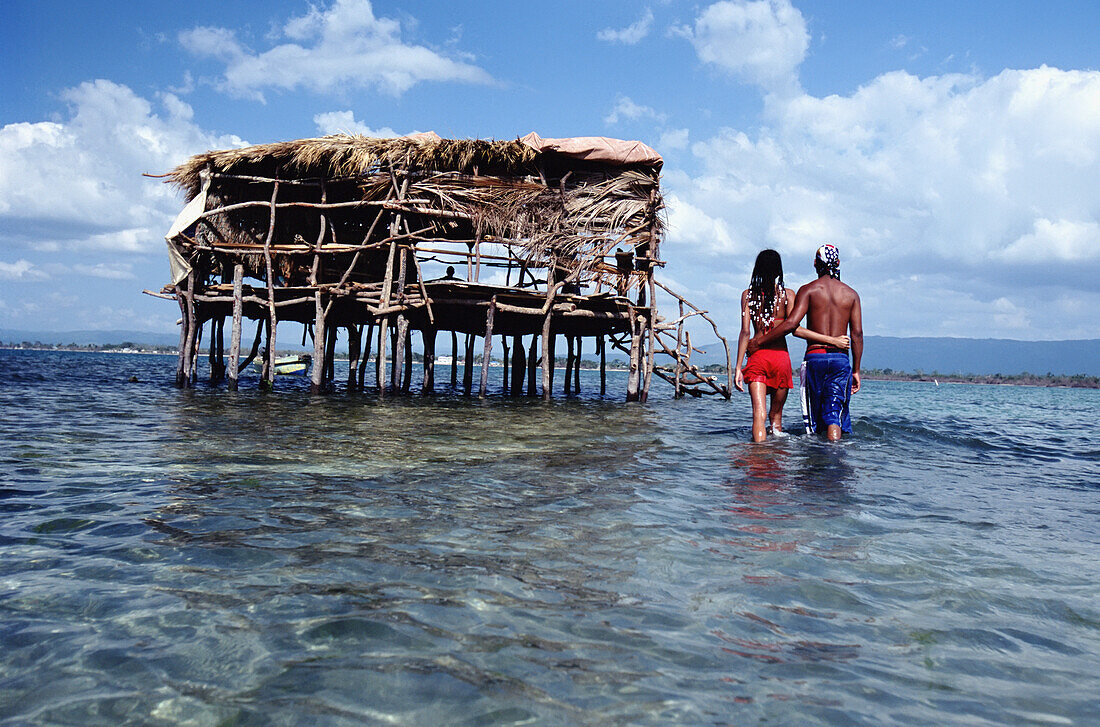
(768, 371)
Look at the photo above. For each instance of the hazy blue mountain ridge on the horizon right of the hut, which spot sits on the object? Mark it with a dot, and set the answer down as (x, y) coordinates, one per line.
(956, 356)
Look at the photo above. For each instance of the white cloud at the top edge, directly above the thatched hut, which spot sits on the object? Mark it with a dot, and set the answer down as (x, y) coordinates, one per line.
(329, 49)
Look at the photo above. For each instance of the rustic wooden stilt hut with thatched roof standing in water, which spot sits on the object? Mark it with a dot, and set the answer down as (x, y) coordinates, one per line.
(543, 238)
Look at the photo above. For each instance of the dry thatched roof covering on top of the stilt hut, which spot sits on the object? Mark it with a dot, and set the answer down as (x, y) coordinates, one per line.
(345, 156)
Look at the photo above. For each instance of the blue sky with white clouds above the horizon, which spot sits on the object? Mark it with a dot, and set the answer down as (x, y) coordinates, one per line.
(951, 151)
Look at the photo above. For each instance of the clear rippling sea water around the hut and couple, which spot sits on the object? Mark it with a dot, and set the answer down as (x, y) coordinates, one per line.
(204, 558)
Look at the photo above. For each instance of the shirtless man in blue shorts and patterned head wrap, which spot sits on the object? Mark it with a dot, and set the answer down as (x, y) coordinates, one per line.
(829, 380)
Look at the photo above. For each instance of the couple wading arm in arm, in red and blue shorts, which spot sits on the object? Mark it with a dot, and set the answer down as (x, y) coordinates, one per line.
(772, 311)
